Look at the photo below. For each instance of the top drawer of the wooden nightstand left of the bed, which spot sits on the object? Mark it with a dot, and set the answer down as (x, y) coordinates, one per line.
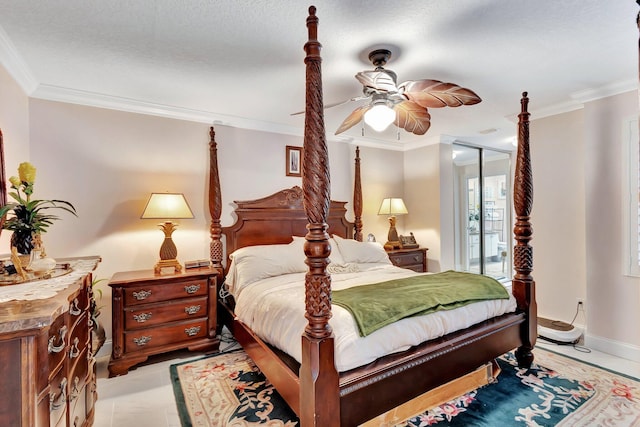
(164, 292)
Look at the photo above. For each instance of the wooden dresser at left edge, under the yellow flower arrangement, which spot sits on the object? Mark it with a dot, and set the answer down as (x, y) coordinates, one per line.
(47, 368)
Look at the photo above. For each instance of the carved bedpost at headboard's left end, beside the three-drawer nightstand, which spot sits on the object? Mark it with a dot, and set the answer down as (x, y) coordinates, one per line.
(215, 203)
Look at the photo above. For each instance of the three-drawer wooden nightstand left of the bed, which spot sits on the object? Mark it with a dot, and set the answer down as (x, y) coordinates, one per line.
(154, 314)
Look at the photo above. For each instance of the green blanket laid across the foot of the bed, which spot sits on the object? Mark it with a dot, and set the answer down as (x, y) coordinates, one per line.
(376, 305)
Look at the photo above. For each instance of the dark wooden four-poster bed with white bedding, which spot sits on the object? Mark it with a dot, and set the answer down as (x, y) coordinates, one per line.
(320, 385)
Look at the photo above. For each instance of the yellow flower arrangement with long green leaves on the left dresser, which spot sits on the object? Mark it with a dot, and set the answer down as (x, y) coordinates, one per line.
(30, 217)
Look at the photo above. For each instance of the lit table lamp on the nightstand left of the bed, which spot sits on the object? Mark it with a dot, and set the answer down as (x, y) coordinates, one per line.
(167, 206)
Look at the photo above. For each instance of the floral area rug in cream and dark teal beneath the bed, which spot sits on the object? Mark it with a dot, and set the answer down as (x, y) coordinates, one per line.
(228, 390)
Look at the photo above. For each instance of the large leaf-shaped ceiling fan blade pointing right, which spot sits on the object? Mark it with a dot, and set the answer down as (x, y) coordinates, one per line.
(436, 94)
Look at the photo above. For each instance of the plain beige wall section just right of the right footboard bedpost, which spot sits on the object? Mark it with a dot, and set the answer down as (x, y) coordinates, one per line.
(558, 214)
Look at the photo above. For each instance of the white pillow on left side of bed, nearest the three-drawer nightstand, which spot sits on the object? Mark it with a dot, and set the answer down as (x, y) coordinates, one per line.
(253, 263)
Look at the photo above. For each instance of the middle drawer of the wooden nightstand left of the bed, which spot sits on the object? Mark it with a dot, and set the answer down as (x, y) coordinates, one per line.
(138, 316)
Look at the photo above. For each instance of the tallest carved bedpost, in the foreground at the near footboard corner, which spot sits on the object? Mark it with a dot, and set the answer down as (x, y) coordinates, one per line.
(319, 394)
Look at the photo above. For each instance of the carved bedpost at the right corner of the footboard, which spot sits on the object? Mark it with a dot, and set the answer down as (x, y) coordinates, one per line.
(523, 284)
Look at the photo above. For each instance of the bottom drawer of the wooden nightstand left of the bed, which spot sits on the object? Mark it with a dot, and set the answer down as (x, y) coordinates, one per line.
(143, 339)
